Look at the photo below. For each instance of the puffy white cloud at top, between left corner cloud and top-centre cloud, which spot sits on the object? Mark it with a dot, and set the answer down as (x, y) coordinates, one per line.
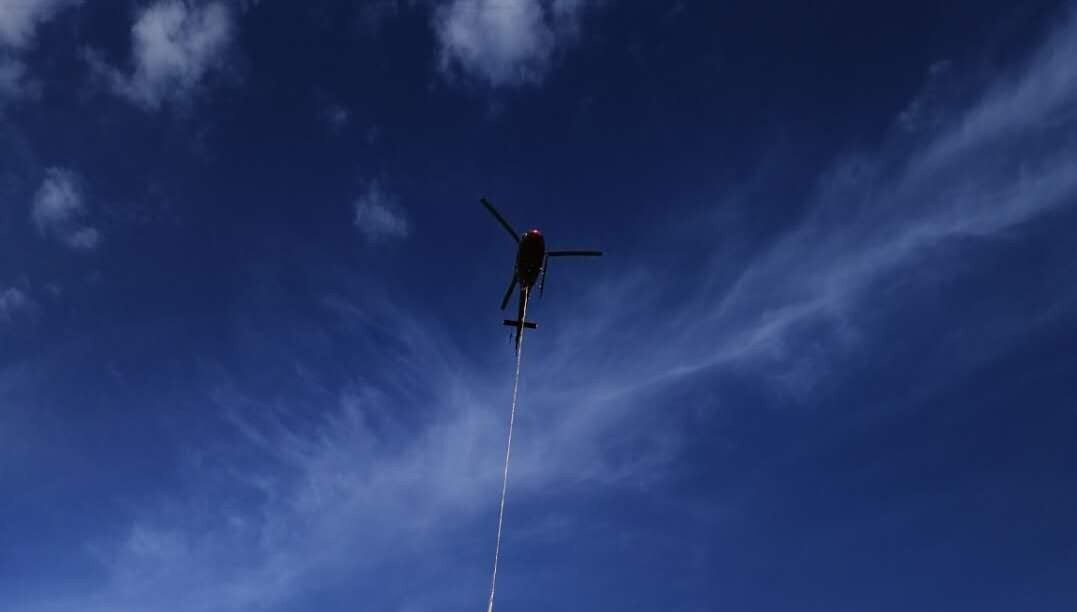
(177, 45)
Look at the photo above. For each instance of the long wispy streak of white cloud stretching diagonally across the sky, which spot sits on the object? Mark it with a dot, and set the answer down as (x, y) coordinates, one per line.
(361, 479)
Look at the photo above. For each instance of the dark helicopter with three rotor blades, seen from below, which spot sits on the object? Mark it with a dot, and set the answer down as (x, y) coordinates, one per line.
(533, 261)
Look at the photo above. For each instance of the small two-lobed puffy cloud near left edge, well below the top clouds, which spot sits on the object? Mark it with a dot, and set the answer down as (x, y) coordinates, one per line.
(59, 210)
